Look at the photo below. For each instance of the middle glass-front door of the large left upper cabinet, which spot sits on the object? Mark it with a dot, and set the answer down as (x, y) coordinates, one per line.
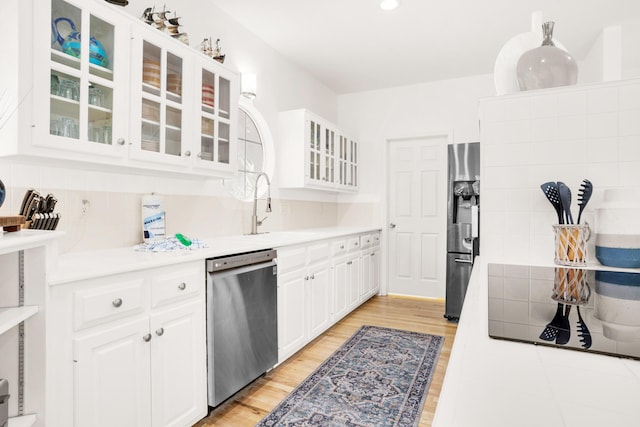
(160, 99)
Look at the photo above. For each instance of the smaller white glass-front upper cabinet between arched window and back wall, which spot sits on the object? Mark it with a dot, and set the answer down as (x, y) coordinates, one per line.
(315, 154)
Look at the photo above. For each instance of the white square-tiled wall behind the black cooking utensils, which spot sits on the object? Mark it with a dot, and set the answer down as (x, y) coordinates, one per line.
(564, 134)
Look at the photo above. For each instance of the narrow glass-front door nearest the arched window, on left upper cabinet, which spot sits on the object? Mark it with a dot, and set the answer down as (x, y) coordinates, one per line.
(216, 93)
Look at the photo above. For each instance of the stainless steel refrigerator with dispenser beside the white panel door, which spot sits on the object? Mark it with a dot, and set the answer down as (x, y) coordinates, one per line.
(463, 215)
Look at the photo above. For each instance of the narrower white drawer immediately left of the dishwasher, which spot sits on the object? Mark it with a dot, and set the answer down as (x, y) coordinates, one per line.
(176, 284)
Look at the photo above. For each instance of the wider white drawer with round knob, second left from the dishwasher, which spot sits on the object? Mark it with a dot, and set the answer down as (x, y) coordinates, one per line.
(106, 303)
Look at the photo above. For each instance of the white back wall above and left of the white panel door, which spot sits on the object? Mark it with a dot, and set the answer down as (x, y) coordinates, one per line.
(416, 110)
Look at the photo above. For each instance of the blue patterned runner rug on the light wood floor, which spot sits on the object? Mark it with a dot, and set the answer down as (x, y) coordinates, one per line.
(379, 377)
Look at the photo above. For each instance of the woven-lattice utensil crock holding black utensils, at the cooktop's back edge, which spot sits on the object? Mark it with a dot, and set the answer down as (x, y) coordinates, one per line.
(571, 243)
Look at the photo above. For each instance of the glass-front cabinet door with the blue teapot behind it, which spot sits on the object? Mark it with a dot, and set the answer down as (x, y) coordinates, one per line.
(85, 82)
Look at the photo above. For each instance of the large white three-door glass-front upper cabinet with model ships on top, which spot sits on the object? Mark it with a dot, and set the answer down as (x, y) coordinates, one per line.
(102, 87)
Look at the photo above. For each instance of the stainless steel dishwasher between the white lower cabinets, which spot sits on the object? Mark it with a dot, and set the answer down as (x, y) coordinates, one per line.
(242, 325)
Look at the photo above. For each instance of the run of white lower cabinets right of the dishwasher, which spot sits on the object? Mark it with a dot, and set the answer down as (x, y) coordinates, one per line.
(320, 283)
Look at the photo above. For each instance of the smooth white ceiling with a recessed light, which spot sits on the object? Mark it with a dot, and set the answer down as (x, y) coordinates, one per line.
(353, 45)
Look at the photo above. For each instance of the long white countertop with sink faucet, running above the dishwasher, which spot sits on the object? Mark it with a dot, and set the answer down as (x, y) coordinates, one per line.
(76, 266)
